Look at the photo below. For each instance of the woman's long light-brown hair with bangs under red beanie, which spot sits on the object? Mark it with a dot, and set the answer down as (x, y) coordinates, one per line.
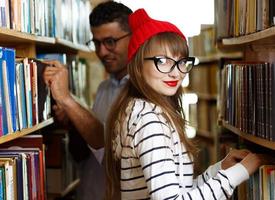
(136, 87)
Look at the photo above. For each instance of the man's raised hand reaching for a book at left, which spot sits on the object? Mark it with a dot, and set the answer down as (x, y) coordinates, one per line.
(56, 77)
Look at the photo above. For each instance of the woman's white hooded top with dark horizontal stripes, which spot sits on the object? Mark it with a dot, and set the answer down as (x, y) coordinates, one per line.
(155, 164)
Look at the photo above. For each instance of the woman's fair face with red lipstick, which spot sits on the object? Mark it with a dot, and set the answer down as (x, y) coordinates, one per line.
(164, 83)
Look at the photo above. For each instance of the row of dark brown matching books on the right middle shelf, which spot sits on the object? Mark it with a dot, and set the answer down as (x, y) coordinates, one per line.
(248, 97)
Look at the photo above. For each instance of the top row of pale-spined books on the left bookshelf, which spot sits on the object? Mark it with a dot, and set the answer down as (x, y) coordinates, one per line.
(67, 19)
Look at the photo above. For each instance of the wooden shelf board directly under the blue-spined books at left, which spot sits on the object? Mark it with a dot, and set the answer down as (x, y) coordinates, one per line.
(17, 134)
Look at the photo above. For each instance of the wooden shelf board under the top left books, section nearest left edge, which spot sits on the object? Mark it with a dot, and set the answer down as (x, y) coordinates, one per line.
(13, 36)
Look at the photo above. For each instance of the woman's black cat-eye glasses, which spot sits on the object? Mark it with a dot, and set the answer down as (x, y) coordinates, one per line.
(156, 59)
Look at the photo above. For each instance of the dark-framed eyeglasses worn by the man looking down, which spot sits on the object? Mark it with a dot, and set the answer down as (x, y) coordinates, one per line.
(109, 43)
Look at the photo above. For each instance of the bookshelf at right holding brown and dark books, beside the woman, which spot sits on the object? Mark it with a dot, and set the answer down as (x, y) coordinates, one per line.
(249, 114)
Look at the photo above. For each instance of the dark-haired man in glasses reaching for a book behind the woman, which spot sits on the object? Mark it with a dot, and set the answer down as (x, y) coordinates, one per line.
(109, 26)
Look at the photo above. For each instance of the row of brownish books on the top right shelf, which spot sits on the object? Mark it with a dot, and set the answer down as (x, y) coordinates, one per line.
(241, 17)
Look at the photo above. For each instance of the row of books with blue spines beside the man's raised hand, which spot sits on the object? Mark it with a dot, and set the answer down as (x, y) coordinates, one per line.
(24, 96)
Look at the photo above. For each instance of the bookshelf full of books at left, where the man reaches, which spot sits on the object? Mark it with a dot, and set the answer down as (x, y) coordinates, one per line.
(41, 29)
